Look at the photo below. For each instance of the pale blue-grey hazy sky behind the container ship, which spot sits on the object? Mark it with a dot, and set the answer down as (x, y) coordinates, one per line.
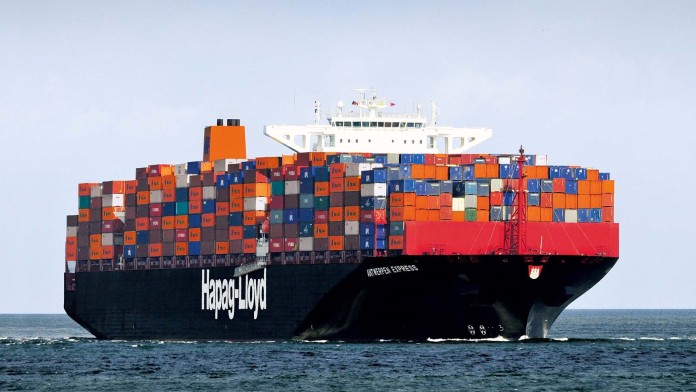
(91, 90)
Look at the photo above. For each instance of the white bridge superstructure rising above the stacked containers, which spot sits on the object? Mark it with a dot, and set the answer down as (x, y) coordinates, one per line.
(367, 128)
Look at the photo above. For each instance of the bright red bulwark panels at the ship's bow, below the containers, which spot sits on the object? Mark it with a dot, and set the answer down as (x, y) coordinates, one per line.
(481, 238)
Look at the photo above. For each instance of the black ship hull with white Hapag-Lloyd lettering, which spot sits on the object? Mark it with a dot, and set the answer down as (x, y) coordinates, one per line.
(403, 298)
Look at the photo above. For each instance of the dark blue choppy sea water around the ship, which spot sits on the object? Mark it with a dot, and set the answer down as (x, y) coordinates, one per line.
(587, 350)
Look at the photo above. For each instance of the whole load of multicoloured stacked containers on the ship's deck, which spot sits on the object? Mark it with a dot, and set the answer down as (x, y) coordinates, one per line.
(316, 202)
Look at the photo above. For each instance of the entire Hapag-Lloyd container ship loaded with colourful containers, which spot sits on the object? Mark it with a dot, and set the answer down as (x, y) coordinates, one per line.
(377, 226)
